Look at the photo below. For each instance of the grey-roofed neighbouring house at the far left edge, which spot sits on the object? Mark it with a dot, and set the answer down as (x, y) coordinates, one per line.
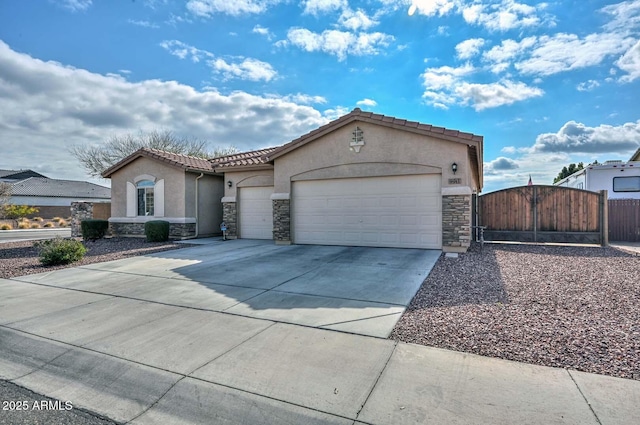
(52, 197)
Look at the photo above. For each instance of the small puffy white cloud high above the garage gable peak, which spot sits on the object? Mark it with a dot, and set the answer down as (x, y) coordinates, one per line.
(338, 43)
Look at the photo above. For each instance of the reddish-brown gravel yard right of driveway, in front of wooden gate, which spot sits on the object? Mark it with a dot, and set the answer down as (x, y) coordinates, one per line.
(570, 307)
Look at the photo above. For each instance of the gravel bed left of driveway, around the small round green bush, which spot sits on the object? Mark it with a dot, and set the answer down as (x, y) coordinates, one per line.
(21, 258)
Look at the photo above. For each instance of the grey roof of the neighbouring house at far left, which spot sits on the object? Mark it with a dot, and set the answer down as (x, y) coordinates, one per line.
(38, 186)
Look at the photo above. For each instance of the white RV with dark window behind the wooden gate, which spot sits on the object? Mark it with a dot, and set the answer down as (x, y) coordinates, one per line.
(620, 179)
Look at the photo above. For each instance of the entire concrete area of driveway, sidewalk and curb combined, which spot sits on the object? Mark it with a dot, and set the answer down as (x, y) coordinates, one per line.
(197, 336)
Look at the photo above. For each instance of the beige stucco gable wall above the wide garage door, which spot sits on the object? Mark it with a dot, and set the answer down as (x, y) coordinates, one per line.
(387, 151)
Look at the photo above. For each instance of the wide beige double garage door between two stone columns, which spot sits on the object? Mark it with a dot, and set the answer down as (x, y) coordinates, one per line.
(397, 211)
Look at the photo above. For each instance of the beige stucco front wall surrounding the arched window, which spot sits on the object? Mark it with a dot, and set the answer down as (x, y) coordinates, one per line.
(174, 185)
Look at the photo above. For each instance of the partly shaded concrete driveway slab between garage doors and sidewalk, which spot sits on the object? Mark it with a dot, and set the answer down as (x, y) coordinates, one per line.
(357, 290)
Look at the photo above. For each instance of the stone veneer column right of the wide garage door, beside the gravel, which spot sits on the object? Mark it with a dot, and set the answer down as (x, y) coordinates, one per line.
(456, 223)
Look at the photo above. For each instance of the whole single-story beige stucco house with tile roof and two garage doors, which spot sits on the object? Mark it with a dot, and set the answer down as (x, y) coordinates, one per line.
(363, 179)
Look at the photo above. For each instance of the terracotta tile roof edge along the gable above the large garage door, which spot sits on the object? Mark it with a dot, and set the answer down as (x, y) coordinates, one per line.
(358, 115)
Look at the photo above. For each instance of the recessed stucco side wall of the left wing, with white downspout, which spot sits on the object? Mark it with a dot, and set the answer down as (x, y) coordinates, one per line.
(210, 191)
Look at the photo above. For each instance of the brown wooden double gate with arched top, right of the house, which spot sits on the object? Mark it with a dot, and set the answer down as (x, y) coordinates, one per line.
(544, 214)
